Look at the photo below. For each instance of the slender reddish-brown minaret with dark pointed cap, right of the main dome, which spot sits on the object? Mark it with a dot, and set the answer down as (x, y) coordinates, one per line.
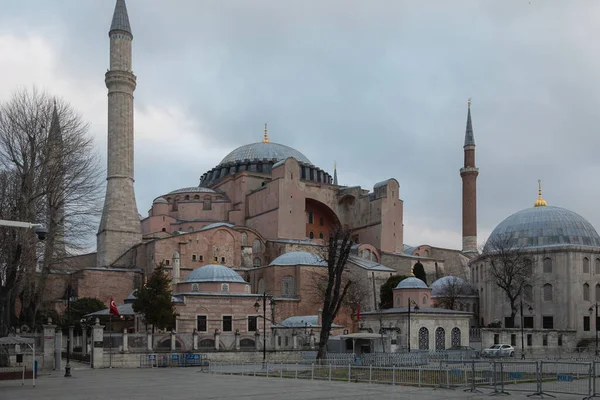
(469, 176)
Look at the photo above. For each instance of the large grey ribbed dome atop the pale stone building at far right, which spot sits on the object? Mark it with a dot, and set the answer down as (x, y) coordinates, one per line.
(544, 226)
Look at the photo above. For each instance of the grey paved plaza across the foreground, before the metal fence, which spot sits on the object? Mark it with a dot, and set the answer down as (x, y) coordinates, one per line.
(191, 383)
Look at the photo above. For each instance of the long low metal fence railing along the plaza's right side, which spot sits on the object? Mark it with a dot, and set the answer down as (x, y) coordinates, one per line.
(529, 377)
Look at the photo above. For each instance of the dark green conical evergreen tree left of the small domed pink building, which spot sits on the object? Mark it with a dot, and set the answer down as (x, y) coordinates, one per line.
(153, 300)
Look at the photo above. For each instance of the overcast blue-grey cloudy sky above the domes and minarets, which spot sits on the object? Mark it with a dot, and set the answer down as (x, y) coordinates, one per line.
(379, 86)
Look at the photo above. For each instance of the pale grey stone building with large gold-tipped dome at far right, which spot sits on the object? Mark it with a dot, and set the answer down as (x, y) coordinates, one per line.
(562, 252)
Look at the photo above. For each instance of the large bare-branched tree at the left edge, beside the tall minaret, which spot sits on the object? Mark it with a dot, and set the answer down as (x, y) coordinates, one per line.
(49, 173)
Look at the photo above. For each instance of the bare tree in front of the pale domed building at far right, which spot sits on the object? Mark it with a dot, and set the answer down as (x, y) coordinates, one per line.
(508, 267)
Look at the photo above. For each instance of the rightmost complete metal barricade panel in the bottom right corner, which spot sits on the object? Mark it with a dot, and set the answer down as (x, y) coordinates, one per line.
(566, 378)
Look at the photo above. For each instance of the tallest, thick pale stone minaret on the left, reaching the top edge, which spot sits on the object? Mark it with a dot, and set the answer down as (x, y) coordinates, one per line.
(120, 225)
